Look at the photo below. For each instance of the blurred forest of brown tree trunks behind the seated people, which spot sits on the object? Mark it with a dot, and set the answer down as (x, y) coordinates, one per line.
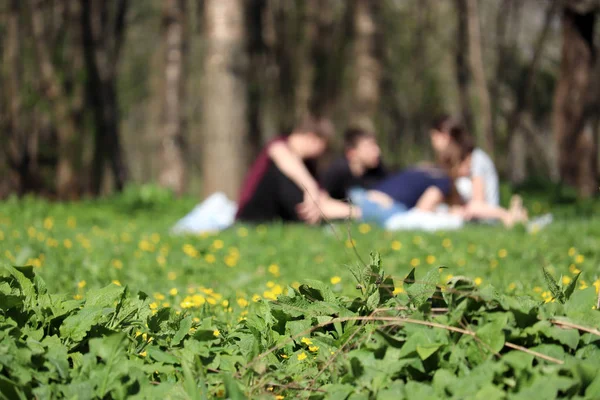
(99, 94)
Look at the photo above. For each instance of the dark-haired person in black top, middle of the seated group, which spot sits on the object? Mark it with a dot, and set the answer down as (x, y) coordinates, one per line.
(360, 167)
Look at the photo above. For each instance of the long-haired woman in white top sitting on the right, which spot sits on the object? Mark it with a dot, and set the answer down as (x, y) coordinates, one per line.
(476, 179)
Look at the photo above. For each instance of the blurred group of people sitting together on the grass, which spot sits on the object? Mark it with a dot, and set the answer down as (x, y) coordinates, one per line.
(282, 184)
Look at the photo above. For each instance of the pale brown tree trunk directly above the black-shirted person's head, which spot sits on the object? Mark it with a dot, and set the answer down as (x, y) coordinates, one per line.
(367, 64)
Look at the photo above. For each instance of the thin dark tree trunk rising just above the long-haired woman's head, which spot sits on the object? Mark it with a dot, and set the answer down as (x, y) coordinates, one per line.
(463, 72)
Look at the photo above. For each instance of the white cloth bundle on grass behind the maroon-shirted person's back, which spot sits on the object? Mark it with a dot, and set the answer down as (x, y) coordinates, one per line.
(214, 214)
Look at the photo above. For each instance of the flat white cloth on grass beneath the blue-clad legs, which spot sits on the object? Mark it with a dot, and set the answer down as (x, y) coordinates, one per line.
(425, 221)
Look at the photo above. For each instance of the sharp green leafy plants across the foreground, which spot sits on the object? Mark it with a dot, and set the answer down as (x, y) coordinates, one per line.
(113, 345)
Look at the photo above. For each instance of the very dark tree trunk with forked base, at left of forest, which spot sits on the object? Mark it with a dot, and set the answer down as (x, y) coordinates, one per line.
(102, 44)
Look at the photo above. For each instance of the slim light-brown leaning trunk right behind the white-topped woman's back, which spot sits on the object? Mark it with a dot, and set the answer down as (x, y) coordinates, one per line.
(476, 58)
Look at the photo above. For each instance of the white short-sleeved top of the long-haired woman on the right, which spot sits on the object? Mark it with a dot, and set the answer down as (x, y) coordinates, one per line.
(483, 167)
